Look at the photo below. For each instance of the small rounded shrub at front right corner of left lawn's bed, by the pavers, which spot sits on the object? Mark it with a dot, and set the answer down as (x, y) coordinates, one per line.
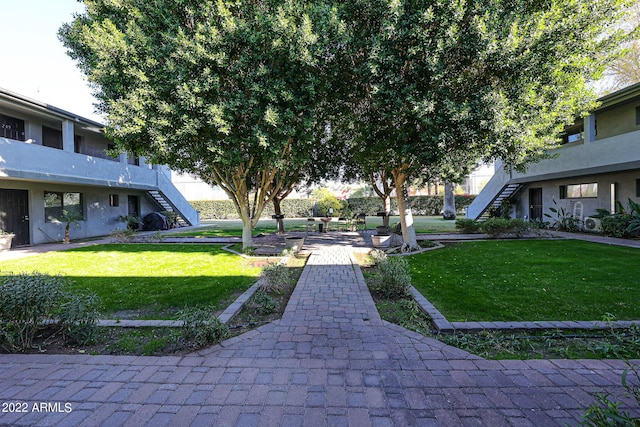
(202, 327)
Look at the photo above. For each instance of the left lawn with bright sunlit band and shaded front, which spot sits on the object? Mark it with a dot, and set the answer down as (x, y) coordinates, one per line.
(155, 280)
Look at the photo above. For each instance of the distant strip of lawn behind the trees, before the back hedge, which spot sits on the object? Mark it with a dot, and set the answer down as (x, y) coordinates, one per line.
(233, 227)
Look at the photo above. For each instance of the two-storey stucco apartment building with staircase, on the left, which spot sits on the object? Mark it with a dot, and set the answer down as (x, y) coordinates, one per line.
(53, 160)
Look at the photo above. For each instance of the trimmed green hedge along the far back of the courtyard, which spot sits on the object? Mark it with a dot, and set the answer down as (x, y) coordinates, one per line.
(300, 208)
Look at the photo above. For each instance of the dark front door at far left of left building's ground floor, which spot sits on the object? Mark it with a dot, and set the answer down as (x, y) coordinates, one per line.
(14, 215)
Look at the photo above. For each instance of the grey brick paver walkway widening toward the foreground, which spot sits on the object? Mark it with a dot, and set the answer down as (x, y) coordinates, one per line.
(329, 361)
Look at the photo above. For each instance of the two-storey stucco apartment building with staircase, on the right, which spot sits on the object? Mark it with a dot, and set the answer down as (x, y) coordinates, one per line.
(597, 165)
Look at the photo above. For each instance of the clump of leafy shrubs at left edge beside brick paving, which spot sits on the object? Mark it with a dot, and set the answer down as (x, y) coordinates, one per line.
(27, 301)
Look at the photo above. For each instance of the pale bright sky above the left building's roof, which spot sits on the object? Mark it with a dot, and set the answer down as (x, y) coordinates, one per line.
(35, 63)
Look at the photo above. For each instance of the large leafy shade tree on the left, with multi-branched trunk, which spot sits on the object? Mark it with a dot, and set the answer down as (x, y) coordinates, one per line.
(226, 90)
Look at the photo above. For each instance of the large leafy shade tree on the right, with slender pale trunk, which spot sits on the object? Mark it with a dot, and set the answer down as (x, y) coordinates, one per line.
(434, 84)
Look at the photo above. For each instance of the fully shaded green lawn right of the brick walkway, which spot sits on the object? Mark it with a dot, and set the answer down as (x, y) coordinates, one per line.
(530, 280)
